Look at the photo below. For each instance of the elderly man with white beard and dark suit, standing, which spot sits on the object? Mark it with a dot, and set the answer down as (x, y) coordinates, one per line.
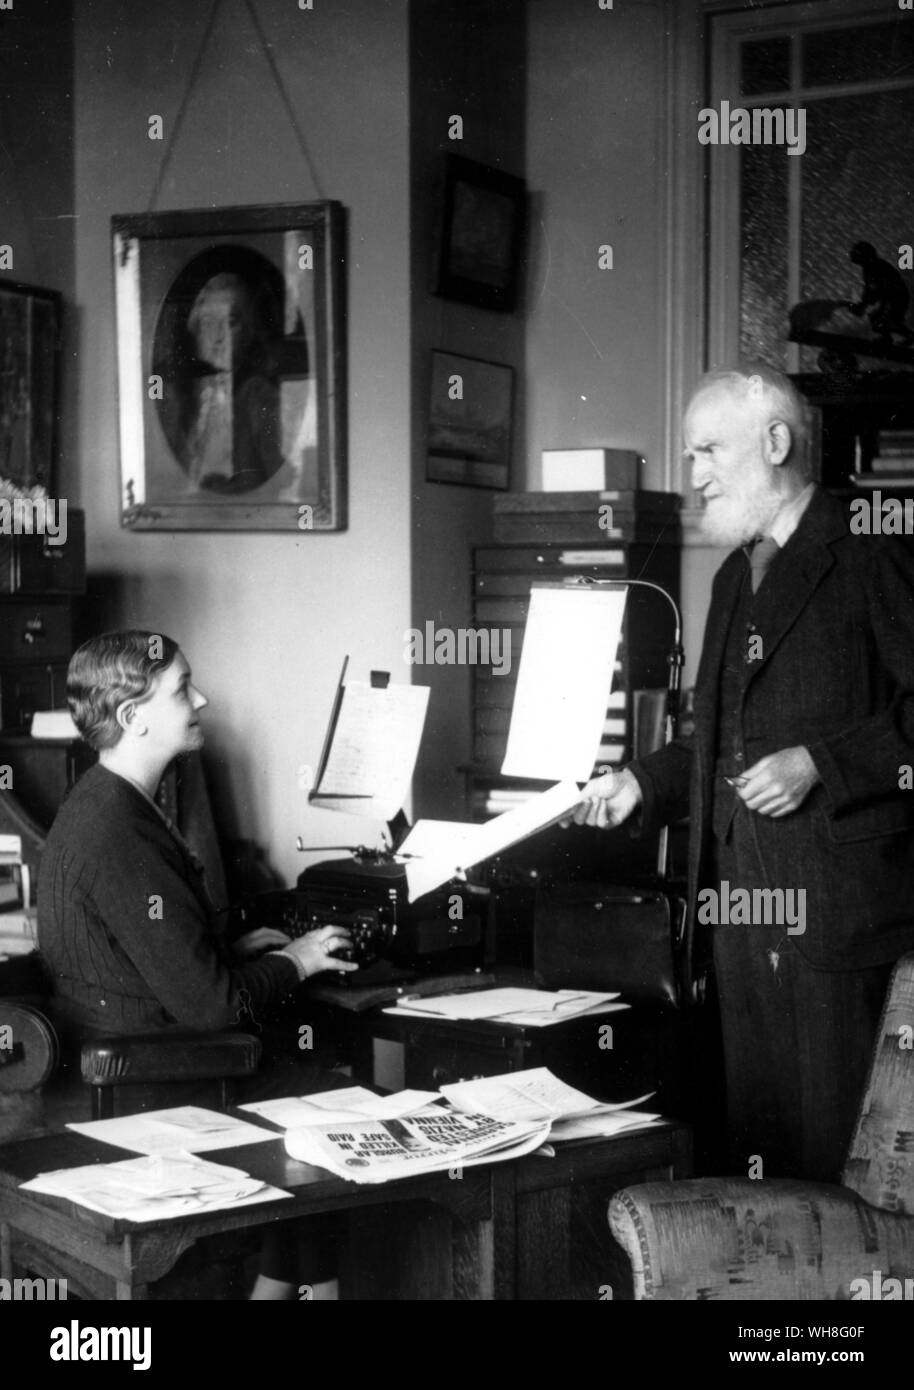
(794, 778)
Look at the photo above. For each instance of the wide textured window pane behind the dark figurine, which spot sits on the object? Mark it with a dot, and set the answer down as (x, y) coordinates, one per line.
(856, 187)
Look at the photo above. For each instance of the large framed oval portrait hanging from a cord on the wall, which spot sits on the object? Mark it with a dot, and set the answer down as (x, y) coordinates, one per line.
(233, 369)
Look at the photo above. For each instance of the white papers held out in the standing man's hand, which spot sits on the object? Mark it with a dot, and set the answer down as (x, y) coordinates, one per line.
(444, 849)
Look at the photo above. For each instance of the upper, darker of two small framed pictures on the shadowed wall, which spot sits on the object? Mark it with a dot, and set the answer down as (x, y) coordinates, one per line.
(483, 224)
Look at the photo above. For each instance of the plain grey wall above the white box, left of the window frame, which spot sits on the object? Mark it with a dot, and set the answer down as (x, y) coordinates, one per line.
(595, 112)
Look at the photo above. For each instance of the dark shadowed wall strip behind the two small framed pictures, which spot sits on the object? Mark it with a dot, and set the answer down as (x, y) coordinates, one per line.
(466, 59)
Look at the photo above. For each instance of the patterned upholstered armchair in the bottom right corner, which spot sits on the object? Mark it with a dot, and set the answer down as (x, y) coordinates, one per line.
(737, 1239)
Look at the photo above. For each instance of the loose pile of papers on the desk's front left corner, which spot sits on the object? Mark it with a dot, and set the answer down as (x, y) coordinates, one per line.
(155, 1188)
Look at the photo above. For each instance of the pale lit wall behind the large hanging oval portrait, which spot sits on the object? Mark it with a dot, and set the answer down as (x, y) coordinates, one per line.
(266, 619)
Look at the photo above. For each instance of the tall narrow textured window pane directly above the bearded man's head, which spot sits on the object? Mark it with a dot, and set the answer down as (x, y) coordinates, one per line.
(763, 298)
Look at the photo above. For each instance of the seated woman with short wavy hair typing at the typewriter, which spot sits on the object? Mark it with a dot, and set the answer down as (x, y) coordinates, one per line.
(127, 929)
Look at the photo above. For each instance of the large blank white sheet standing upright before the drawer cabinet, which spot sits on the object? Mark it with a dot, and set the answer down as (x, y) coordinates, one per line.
(563, 686)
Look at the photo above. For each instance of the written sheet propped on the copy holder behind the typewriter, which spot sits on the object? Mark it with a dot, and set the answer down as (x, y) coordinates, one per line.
(373, 753)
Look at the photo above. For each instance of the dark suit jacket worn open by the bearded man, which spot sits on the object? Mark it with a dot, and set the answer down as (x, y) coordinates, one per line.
(837, 675)
